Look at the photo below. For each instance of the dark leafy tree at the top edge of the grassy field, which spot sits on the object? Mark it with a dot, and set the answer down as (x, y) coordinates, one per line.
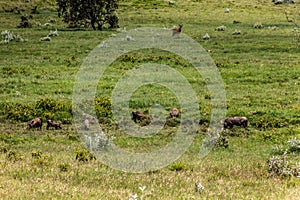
(88, 13)
